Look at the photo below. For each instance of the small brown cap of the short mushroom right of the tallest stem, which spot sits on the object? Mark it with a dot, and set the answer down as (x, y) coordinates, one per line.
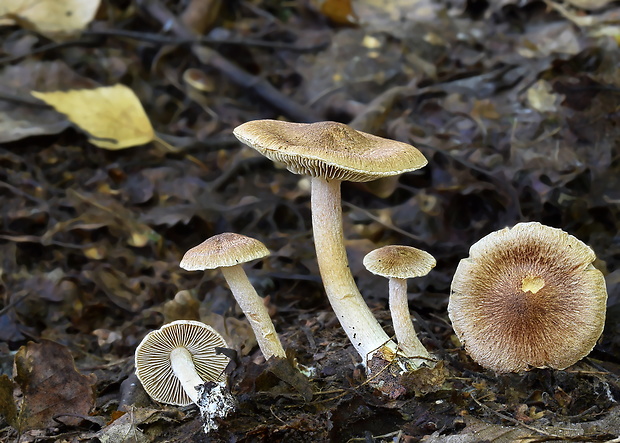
(395, 261)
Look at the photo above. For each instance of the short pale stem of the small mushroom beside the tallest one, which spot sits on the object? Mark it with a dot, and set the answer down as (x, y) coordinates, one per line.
(406, 336)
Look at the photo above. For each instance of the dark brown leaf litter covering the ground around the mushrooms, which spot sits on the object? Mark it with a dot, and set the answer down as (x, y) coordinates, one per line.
(515, 105)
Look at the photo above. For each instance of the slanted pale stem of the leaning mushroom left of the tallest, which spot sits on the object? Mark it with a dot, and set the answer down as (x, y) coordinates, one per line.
(255, 311)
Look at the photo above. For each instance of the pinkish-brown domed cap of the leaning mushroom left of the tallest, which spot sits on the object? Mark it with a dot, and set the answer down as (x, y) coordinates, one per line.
(223, 250)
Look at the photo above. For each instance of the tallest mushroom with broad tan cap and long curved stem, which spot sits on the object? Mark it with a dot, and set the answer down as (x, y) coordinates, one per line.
(331, 152)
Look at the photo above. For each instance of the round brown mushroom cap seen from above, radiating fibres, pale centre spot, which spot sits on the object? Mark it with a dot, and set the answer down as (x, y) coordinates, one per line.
(528, 297)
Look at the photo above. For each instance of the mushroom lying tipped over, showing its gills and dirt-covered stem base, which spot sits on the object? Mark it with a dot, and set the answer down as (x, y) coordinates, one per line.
(178, 364)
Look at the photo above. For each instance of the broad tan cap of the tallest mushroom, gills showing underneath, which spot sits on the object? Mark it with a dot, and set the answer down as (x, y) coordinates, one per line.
(330, 150)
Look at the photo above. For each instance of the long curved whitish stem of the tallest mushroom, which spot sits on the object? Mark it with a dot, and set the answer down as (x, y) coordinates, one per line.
(354, 315)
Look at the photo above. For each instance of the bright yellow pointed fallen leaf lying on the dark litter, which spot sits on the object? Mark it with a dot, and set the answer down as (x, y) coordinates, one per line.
(112, 116)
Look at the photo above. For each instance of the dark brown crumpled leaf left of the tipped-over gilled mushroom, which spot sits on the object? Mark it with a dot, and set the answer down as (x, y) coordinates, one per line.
(51, 386)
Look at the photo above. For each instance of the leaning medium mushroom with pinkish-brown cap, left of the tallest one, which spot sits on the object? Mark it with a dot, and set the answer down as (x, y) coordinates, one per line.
(227, 252)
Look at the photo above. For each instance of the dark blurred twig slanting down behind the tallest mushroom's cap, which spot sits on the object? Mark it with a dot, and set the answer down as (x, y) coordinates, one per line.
(237, 75)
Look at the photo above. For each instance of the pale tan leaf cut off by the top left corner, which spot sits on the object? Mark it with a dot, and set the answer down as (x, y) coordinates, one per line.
(56, 19)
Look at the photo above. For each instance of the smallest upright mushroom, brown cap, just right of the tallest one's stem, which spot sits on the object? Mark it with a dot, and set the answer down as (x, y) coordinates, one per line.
(398, 263)
